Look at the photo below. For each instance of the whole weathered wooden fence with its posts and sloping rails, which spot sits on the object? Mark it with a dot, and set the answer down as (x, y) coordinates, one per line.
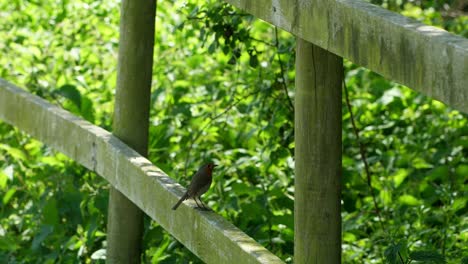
(424, 58)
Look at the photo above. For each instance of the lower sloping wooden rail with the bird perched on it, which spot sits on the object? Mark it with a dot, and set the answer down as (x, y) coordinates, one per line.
(206, 234)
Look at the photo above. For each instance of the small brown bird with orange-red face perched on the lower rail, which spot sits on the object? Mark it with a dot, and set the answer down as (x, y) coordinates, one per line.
(200, 183)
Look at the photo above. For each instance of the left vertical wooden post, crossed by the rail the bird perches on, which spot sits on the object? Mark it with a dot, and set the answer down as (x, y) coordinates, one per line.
(131, 121)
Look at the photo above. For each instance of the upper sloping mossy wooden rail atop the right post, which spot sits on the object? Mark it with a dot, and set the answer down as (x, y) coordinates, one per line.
(424, 58)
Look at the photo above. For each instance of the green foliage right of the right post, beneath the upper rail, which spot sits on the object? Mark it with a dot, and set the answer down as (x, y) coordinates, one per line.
(417, 151)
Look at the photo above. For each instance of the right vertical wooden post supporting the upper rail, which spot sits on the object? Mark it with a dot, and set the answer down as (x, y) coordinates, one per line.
(317, 219)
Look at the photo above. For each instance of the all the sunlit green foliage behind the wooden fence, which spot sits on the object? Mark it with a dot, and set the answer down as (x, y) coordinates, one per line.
(223, 91)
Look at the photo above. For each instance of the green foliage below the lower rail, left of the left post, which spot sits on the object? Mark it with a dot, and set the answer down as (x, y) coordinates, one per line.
(52, 210)
